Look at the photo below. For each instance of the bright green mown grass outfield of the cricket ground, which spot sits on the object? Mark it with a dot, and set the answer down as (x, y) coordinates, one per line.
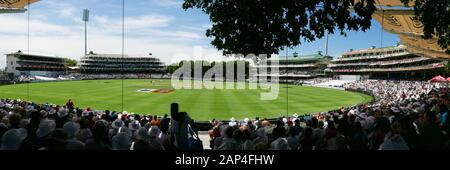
(201, 104)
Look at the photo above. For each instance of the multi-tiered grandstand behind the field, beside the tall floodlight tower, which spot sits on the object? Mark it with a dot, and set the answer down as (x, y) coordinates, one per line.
(114, 65)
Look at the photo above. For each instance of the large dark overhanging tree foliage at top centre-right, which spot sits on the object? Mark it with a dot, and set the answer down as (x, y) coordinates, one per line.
(268, 26)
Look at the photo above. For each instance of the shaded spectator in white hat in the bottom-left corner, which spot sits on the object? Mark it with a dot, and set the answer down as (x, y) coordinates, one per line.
(12, 139)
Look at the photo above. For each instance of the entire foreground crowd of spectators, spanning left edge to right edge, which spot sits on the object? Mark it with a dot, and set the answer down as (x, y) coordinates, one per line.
(406, 115)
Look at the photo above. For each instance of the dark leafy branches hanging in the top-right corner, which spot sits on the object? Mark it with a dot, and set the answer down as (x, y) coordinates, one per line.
(435, 16)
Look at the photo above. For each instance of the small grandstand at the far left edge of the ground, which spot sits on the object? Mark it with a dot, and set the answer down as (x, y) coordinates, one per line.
(34, 64)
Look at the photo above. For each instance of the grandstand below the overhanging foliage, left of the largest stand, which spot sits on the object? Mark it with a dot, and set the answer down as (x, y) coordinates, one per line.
(294, 68)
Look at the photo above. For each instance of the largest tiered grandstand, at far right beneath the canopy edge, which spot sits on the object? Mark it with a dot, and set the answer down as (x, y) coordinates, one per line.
(388, 62)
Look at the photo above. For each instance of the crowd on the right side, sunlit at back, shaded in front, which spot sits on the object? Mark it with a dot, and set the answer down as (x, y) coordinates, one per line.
(406, 115)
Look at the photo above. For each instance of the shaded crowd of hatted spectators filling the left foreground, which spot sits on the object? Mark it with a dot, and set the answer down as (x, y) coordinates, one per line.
(29, 126)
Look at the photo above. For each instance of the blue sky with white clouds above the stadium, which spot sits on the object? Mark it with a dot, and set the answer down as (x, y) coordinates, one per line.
(160, 27)
